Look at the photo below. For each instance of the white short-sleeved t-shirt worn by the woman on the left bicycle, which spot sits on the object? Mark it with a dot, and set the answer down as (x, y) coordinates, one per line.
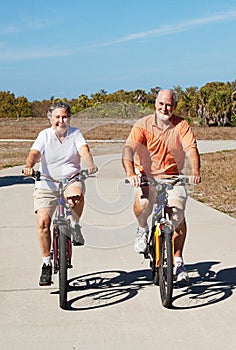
(58, 159)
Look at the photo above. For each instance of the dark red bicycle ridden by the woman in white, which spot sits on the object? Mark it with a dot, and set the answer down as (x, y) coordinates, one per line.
(62, 233)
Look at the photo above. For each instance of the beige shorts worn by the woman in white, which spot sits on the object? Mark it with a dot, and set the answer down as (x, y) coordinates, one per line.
(48, 199)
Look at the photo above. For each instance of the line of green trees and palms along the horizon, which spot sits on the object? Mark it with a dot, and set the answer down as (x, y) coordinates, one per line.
(212, 104)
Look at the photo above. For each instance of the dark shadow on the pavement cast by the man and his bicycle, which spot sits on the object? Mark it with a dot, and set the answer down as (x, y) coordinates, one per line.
(207, 288)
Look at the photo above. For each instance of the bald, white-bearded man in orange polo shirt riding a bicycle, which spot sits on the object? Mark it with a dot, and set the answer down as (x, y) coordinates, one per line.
(157, 147)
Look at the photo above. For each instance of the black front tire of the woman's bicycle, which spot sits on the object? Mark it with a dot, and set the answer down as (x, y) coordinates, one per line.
(62, 242)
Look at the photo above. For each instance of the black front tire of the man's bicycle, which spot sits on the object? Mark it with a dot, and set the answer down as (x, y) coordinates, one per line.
(166, 268)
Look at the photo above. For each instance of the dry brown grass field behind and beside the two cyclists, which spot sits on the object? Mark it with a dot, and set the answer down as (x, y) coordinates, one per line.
(218, 187)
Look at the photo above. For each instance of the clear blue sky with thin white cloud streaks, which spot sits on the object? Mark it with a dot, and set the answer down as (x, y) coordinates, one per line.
(68, 48)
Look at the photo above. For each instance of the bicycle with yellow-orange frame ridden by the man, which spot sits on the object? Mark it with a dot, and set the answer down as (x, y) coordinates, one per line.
(160, 247)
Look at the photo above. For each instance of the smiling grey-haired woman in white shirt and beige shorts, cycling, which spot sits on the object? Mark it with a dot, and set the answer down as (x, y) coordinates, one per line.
(59, 149)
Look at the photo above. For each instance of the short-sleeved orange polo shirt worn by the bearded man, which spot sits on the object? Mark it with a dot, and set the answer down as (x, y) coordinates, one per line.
(157, 151)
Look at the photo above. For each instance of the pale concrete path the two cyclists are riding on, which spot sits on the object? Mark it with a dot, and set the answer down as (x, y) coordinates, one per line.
(112, 302)
